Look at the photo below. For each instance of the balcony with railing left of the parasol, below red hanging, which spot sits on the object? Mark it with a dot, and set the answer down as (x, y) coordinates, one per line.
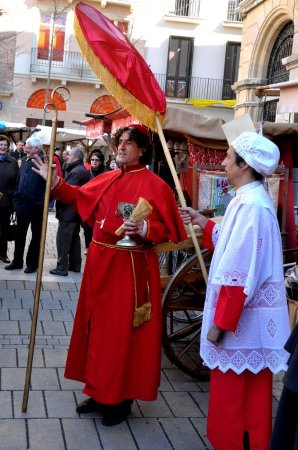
(65, 65)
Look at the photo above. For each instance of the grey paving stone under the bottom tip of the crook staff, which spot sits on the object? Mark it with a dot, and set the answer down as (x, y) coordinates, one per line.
(35, 405)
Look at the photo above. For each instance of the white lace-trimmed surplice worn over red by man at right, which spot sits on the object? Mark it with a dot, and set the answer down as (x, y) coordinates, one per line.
(248, 253)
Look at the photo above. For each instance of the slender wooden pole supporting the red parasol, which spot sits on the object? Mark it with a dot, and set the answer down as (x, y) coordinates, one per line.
(181, 196)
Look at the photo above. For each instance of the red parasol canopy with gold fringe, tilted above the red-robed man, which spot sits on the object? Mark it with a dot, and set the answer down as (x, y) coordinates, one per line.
(119, 65)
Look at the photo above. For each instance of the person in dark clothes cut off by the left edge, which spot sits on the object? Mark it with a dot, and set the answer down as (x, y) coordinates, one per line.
(8, 179)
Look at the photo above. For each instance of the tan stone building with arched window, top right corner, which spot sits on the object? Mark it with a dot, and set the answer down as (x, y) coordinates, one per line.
(269, 55)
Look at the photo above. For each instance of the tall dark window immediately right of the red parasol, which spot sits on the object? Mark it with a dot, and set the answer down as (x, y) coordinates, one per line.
(179, 67)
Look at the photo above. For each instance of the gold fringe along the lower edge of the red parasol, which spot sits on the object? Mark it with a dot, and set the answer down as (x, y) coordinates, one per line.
(136, 108)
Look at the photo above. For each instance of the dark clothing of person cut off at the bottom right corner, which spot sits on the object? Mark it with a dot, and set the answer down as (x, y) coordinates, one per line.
(285, 431)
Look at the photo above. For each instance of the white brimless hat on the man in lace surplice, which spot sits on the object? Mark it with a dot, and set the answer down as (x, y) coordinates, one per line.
(257, 151)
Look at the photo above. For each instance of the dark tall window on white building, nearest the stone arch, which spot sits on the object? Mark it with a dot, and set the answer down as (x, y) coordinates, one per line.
(231, 69)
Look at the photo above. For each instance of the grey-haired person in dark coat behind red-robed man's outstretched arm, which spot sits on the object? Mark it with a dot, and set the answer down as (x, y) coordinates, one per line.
(68, 234)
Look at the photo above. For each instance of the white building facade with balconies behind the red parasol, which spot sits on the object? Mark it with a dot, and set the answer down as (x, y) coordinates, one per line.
(192, 47)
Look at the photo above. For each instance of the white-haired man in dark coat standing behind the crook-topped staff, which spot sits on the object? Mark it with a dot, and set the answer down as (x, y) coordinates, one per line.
(28, 203)
